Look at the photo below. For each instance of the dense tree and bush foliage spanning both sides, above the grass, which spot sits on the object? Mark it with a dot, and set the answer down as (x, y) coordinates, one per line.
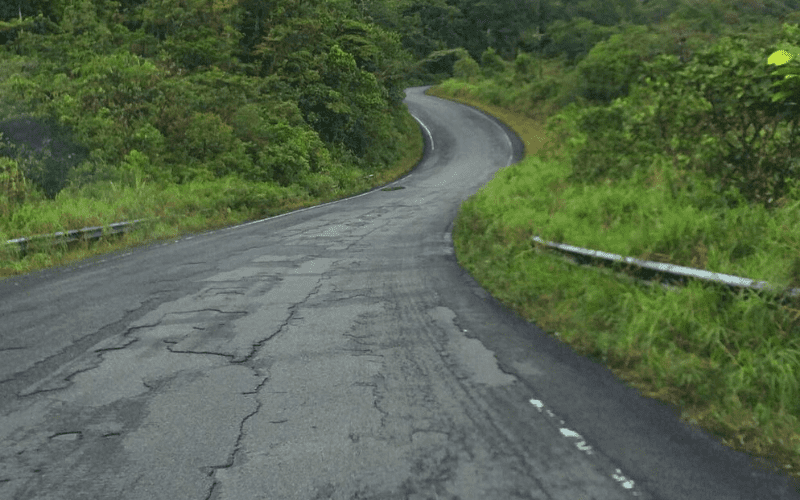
(172, 91)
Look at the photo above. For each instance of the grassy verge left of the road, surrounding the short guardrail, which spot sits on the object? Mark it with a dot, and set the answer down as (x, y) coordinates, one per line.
(179, 209)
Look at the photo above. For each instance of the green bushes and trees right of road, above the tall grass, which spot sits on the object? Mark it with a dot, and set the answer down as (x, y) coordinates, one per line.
(690, 81)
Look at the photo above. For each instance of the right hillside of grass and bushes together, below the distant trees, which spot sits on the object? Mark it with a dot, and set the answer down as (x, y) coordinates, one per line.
(687, 158)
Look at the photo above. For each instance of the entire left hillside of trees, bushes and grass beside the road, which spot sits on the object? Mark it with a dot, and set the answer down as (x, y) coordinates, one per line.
(202, 113)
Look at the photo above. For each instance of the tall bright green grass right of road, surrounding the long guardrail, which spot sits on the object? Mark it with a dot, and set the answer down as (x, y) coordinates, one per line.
(729, 363)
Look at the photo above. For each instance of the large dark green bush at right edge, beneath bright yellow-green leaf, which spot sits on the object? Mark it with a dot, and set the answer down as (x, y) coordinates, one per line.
(719, 112)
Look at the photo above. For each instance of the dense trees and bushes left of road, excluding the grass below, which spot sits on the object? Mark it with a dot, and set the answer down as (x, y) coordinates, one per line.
(181, 90)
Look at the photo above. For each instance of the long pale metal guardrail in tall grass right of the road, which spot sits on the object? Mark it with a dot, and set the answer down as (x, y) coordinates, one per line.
(660, 271)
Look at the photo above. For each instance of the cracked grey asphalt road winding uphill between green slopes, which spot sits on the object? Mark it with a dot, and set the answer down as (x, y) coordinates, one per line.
(335, 352)
